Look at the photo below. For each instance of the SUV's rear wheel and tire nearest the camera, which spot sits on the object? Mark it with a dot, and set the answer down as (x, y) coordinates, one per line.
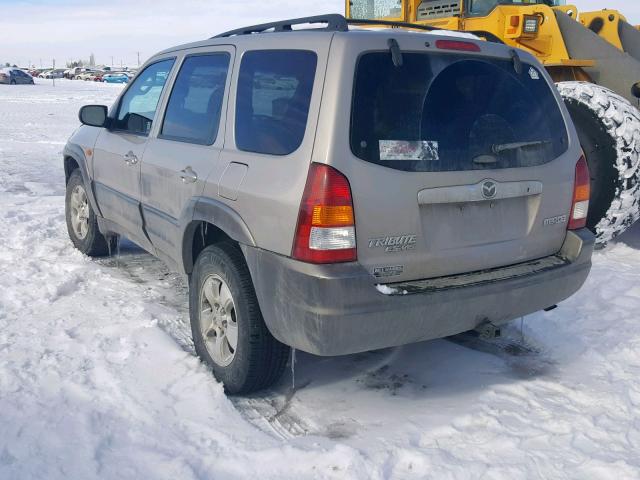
(228, 330)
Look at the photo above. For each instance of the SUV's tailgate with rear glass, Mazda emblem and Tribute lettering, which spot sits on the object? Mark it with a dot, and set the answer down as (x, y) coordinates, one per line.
(456, 163)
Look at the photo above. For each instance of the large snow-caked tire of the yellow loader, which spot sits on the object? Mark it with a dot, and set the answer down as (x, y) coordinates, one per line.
(608, 127)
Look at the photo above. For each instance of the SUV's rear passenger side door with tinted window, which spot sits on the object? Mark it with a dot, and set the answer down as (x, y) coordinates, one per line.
(187, 148)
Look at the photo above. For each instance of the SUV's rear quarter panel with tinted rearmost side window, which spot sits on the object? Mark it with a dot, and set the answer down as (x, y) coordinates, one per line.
(269, 142)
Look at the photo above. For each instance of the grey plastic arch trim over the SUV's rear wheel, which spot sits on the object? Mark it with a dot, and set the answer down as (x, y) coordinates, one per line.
(212, 211)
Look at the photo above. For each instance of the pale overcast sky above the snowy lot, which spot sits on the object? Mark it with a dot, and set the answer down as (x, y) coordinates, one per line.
(39, 30)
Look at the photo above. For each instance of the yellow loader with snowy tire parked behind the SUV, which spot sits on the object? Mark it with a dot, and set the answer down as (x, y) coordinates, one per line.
(595, 59)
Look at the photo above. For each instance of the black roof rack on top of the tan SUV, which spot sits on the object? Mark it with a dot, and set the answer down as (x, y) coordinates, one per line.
(338, 23)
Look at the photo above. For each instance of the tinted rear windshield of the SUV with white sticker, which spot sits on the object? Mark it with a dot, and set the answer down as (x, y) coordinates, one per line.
(448, 112)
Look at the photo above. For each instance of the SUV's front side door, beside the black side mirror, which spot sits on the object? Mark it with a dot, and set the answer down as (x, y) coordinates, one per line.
(119, 149)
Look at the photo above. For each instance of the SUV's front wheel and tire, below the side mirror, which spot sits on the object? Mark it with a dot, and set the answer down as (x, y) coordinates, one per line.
(82, 223)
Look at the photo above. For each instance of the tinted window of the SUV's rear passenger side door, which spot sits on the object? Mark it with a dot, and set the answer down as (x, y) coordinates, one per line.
(194, 108)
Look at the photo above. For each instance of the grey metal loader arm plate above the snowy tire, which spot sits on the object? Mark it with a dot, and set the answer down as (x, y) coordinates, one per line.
(616, 70)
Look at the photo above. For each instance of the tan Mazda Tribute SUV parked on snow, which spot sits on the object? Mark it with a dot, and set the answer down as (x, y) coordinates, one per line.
(336, 189)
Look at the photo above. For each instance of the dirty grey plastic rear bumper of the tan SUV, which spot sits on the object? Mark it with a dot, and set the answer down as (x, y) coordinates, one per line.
(337, 309)
